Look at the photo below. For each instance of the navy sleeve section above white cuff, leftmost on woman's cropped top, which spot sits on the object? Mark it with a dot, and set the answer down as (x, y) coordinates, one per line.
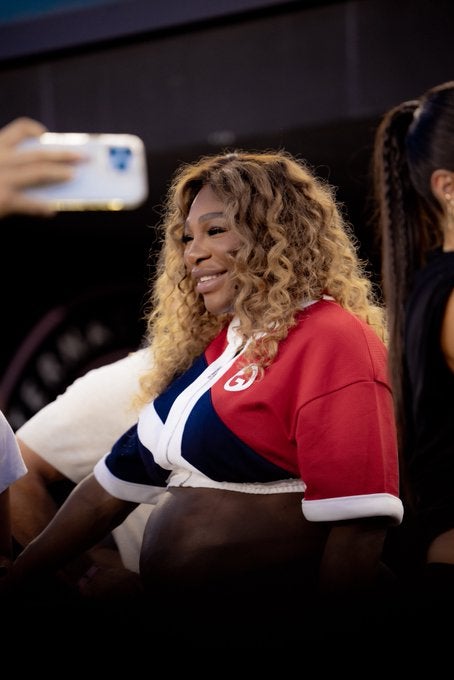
(131, 461)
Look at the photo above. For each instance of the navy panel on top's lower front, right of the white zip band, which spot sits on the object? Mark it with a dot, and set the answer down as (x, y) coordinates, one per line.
(217, 452)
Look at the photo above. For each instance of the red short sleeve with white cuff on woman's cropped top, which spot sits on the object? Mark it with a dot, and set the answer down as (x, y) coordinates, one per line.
(347, 454)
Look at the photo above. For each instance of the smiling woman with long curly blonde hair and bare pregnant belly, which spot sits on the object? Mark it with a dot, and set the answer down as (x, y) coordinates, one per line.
(266, 436)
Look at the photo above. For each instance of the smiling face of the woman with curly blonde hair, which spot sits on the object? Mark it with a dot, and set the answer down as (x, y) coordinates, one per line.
(207, 243)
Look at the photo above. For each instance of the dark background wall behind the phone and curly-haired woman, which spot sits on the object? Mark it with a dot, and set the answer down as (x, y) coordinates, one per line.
(189, 78)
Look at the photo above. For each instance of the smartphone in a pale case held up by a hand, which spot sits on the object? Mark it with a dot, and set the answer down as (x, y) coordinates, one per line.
(112, 176)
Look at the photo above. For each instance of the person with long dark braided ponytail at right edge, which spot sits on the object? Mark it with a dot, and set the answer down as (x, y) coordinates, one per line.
(413, 171)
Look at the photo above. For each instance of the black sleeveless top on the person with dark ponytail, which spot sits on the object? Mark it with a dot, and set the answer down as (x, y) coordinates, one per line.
(429, 399)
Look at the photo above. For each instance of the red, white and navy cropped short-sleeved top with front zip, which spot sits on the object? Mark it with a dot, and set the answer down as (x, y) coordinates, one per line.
(319, 421)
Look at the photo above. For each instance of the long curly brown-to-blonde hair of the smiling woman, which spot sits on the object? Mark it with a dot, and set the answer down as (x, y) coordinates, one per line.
(295, 247)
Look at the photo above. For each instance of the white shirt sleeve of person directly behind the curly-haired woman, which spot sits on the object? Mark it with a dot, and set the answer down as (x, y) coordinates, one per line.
(73, 432)
